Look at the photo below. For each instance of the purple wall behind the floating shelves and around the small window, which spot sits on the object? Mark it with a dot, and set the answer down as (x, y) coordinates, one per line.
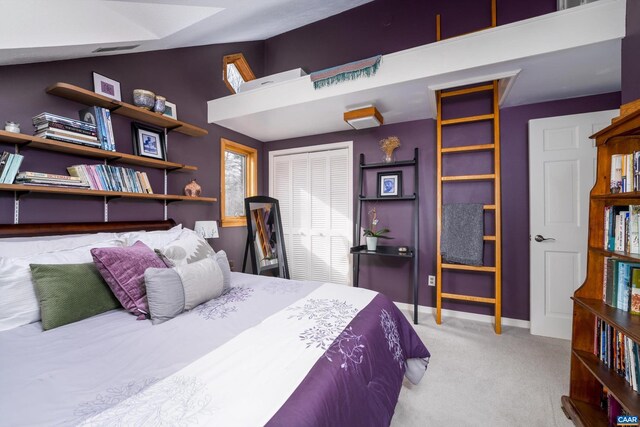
(188, 77)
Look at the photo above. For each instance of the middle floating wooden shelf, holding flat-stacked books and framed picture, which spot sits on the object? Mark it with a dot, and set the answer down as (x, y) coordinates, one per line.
(96, 153)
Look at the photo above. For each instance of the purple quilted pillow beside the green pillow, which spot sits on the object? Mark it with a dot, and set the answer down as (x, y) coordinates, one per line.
(123, 270)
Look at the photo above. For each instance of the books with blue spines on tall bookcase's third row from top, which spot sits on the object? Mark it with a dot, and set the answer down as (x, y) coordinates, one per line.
(621, 288)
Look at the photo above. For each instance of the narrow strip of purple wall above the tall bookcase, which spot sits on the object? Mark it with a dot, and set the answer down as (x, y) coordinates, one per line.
(631, 54)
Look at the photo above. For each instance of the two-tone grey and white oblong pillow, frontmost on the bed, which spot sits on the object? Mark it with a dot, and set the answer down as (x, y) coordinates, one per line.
(170, 291)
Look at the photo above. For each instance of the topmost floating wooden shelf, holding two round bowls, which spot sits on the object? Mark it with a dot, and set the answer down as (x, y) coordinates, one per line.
(87, 97)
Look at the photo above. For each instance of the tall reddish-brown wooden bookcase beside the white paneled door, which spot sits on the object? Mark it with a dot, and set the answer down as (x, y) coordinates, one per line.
(588, 374)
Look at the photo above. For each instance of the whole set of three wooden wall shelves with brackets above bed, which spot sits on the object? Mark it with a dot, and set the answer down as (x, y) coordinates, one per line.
(90, 98)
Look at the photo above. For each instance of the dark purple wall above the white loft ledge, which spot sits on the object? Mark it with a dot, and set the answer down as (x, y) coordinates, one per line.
(386, 26)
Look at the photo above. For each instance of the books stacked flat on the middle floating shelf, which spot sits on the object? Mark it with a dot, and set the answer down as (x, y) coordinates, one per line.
(58, 128)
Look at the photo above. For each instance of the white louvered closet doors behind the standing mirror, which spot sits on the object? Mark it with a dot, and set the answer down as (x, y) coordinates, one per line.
(313, 189)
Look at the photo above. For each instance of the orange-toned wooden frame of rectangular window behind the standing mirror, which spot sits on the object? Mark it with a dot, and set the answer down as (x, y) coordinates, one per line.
(251, 179)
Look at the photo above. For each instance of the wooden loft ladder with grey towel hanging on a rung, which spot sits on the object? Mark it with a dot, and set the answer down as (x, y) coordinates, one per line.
(495, 177)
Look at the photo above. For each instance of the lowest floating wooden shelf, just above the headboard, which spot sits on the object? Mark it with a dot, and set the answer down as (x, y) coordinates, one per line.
(23, 189)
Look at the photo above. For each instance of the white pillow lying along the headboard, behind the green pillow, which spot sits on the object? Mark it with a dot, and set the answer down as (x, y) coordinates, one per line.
(26, 246)
